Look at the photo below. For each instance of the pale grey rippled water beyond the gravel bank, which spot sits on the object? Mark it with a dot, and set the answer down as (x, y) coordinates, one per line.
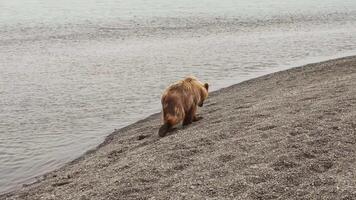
(73, 71)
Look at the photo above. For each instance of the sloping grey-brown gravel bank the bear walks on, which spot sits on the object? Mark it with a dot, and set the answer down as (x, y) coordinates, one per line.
(290, 134)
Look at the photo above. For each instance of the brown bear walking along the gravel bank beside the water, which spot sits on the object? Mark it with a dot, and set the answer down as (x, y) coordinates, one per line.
(180, 101)
